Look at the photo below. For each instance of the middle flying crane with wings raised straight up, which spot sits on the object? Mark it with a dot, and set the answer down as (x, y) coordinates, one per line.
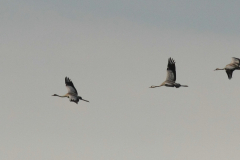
(171, 76)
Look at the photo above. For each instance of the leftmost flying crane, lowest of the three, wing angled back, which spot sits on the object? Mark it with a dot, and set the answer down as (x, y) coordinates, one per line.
(72, 92)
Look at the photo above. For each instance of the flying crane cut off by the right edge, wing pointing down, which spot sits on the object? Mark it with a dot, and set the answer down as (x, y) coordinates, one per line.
(234, 65)
